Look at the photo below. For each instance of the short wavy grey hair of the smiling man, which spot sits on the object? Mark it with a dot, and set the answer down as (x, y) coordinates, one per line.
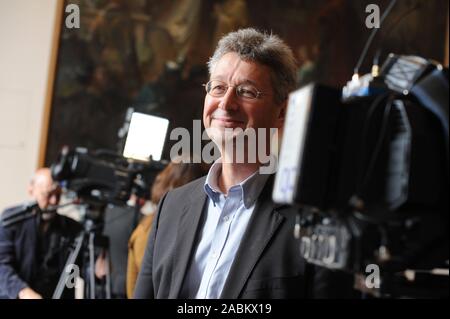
(263, 48)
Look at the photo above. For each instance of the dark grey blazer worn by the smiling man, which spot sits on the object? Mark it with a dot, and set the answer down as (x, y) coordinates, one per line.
(267, 263)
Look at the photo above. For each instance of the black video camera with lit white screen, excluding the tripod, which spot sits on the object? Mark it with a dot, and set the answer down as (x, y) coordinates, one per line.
(104, 177)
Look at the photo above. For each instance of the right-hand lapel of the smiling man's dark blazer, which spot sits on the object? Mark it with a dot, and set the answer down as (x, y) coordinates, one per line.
(261, 228)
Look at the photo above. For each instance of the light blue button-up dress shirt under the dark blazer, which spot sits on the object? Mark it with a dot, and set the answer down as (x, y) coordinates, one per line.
(227, 218)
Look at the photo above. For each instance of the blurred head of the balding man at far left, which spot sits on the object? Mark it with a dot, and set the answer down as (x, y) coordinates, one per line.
(45, 191)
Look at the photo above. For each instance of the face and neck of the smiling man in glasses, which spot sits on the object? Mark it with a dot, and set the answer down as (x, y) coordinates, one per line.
(242, 112)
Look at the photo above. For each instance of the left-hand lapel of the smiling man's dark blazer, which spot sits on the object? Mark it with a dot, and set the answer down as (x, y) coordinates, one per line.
(188, 227)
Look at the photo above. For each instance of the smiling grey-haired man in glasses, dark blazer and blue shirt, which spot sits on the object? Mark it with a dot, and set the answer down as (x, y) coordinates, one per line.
(221, 236)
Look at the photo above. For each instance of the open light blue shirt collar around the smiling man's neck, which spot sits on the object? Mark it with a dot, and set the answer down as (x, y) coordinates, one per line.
(251, 187)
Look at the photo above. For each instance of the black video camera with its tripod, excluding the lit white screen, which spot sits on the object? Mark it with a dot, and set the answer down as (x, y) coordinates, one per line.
(99, 178)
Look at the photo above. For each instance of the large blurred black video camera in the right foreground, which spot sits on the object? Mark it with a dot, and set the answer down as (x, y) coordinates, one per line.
(367, 168)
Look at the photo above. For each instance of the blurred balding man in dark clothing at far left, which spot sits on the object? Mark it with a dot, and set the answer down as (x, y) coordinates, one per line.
(34, 242)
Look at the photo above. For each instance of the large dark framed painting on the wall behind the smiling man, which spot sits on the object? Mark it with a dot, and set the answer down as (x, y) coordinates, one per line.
(151, 55)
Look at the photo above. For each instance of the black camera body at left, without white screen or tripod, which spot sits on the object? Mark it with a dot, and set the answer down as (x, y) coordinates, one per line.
(104, 177)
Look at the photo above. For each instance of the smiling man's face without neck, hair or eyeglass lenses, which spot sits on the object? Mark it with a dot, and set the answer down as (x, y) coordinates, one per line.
(231, 111)
